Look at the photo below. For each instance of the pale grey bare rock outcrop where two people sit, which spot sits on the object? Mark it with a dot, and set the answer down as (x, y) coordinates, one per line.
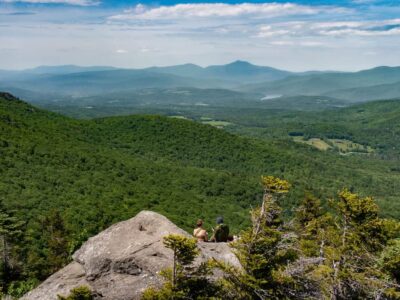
(122, 261)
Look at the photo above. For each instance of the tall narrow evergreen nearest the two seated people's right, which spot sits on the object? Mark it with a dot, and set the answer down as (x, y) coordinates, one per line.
(263, 250)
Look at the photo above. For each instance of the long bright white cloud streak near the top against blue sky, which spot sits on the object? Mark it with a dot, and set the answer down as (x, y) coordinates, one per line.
(217, 10)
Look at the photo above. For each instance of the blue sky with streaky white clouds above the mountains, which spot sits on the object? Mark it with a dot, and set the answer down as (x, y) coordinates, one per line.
(295, 35)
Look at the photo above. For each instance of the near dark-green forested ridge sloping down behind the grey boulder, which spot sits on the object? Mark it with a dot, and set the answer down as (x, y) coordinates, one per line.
(63, 180)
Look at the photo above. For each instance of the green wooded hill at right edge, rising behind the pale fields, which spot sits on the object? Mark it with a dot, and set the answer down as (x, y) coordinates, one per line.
(376, 124)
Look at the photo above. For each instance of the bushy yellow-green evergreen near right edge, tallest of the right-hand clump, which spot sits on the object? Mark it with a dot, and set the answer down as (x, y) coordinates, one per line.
(362, 237)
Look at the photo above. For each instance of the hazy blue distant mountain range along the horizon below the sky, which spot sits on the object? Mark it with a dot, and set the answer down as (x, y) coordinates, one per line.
(63, 83)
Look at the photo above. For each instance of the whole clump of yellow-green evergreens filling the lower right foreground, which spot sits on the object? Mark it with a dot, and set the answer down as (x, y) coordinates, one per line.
(317, 255)
